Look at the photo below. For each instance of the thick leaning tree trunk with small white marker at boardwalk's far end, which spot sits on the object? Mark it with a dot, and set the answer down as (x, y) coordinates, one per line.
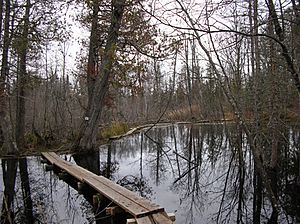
(89, 128)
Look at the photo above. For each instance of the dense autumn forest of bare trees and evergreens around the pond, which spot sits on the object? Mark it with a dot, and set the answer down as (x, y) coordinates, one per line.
(140, 61)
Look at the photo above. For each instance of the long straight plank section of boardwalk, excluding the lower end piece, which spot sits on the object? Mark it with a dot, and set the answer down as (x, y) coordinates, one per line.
(129, 201)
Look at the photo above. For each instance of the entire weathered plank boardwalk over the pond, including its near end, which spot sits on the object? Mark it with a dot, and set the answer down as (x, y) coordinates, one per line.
(142, 210)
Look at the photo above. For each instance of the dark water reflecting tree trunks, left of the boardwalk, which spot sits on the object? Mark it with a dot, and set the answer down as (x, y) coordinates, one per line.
(29, 194)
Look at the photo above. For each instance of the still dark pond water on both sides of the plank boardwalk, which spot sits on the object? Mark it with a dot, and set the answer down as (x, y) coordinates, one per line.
(190, 170)
